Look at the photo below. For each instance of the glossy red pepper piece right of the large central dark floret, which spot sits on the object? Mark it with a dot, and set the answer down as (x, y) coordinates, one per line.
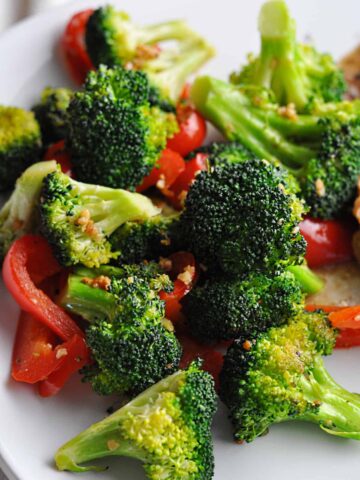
(328, 241)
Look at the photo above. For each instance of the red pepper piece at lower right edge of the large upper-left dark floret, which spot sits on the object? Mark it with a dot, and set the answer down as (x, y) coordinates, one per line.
(169, 166)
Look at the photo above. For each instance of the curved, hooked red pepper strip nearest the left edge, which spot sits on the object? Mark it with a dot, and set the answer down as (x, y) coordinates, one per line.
(28, 261)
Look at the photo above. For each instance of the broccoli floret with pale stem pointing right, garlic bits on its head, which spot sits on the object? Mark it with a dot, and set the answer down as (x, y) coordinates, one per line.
(78, 218)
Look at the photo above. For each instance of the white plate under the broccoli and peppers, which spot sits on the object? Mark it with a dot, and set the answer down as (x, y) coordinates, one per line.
(32, 428)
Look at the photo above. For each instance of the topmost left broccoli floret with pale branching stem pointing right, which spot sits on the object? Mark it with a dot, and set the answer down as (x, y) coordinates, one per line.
(113, 39)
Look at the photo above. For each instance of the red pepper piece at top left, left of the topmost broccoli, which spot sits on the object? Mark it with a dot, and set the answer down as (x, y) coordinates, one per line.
(72, 45)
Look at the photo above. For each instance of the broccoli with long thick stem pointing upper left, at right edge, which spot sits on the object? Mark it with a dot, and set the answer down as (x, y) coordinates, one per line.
(320, 150)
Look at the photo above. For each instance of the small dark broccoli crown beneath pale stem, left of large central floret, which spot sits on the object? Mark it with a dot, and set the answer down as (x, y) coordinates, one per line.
(148, 240)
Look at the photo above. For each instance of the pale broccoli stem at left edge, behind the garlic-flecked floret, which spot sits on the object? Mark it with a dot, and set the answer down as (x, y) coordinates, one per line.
(19, 214)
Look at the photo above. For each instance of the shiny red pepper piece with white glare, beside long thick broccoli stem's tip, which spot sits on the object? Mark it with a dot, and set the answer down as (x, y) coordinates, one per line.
(192, 130)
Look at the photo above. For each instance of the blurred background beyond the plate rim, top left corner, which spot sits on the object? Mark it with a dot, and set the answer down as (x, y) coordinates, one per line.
(13, 10)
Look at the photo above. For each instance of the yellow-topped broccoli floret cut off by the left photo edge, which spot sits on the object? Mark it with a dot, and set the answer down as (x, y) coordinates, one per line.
(20, 144)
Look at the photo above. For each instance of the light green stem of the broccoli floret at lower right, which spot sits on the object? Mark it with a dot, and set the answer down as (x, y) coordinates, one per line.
(339, 410)
